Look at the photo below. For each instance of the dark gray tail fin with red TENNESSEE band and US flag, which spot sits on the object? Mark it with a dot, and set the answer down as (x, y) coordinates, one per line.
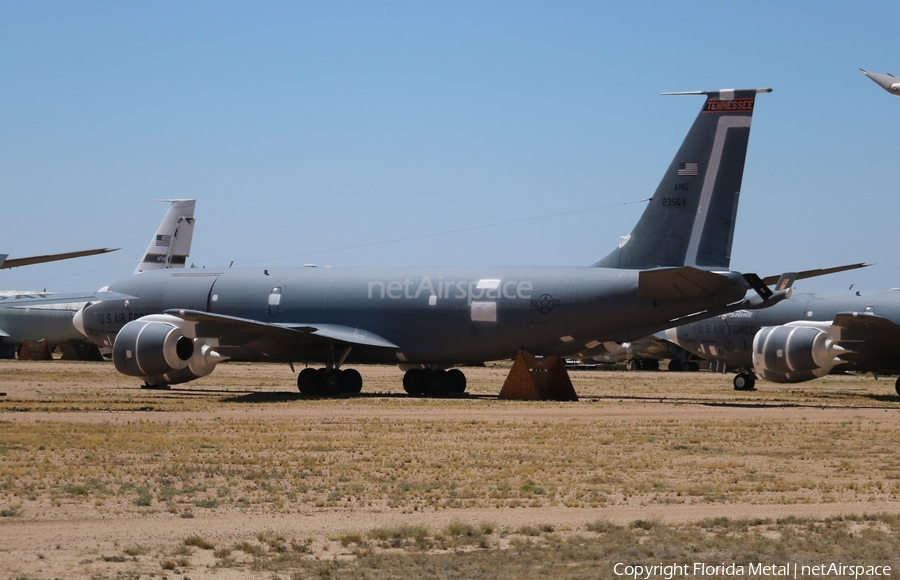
(690, 219)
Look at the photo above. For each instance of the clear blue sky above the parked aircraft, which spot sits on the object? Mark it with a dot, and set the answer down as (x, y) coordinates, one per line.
(309, 126)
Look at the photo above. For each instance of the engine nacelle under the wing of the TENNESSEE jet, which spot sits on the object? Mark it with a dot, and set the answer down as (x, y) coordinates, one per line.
(161, 350)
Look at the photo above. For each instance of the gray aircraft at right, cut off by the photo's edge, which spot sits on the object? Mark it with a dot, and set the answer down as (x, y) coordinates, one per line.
(802, 338)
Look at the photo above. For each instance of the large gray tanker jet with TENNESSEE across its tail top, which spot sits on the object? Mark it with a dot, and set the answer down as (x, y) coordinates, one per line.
(672, 267)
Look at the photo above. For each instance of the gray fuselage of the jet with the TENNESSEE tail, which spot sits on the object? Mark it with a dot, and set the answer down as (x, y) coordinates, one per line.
(444, 317)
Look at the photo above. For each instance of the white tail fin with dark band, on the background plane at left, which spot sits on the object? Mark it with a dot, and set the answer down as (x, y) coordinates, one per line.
(171, 245)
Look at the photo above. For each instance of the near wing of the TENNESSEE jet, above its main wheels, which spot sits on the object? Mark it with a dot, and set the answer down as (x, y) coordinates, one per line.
(271, 338)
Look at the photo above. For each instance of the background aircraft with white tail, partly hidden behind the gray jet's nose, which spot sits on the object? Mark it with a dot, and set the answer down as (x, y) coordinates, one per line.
(48, 316)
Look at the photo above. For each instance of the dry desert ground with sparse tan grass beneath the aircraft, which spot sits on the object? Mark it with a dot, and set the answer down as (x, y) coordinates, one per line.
(236, 475)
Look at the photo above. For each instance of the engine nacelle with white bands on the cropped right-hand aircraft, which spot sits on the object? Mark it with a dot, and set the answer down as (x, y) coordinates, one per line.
(794, 353)
